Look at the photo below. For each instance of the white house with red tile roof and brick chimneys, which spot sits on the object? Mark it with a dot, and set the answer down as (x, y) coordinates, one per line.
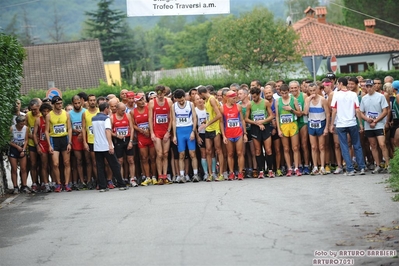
(356, 50)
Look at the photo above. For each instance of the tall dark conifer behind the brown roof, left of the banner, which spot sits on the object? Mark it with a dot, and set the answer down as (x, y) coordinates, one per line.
(110, 27)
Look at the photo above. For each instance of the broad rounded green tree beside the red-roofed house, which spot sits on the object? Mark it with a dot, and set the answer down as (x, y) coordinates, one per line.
(254, 40)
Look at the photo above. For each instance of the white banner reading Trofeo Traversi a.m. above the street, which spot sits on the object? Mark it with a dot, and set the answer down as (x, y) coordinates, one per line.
(140, 8)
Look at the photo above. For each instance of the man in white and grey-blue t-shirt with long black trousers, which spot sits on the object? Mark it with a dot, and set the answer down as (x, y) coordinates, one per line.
(104, 148)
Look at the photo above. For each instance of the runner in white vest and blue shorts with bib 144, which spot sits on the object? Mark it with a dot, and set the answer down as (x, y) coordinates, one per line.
(184, 121)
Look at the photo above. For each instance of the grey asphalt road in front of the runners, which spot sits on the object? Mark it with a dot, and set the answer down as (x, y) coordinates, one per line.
(281, 221)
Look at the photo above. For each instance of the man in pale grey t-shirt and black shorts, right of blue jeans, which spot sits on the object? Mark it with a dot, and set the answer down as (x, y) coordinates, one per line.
(374, 108)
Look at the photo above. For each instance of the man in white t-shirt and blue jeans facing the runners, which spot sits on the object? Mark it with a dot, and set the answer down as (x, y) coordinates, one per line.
(345, 107)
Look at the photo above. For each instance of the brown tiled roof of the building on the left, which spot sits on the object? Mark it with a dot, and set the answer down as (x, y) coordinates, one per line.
(70, 65)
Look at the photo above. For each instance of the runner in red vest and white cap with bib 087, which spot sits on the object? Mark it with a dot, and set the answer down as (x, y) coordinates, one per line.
(233, 127)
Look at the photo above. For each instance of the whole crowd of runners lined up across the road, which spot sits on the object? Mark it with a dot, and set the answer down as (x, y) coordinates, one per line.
(334, 126)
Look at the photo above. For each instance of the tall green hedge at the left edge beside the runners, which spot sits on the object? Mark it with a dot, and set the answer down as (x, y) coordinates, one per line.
(11, 57)
